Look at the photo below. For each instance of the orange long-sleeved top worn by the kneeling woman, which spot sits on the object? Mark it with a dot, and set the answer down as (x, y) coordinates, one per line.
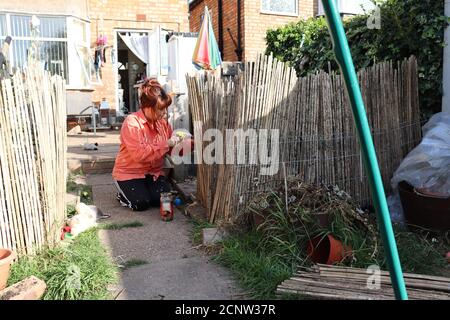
(142, 148)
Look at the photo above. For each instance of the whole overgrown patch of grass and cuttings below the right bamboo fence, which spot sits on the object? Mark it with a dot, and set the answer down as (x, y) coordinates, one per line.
(264, 257)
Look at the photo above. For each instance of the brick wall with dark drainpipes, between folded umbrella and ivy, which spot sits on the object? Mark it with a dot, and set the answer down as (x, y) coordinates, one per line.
(254, 24)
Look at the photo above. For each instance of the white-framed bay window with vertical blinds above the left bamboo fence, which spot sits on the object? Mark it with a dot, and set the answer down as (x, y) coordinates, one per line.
(57, 41)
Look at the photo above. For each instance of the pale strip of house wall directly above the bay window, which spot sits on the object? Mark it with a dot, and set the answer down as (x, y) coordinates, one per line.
(75, 8)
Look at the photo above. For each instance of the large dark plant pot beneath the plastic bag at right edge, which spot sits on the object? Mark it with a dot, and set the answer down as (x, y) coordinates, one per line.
(424, 210)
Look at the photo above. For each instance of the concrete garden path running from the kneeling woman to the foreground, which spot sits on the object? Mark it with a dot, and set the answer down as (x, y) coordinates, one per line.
(175, 270)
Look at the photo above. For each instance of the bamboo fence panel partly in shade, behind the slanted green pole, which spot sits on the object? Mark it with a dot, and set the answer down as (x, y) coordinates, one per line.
(317, 138)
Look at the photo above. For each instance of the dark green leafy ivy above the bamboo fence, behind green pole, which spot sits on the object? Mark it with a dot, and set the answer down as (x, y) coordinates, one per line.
(408, 27)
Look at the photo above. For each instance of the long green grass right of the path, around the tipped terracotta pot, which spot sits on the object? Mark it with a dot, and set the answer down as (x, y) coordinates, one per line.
(263, 258)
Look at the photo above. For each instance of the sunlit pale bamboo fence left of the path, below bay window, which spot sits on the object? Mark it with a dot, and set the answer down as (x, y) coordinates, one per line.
(33, 167)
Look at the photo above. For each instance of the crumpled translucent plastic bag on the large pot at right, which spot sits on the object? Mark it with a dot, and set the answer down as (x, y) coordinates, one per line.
(427, 166)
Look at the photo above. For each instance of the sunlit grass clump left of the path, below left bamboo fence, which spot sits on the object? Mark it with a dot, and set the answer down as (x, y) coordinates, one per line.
(81, 270)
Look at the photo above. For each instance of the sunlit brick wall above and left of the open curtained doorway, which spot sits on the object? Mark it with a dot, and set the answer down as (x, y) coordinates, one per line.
(119, 14)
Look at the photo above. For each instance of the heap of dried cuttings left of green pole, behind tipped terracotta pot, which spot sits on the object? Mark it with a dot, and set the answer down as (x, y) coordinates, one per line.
(308, 210)
